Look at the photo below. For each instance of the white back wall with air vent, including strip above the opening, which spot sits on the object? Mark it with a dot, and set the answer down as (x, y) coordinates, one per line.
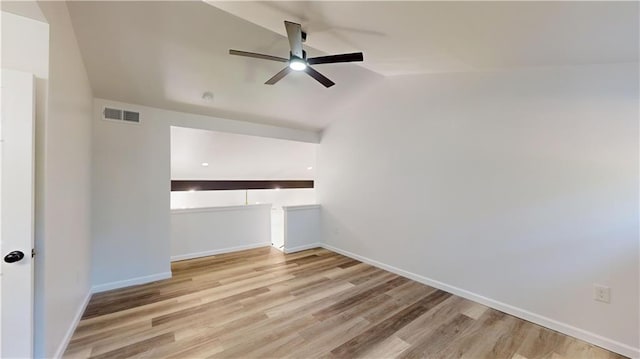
(131, 185)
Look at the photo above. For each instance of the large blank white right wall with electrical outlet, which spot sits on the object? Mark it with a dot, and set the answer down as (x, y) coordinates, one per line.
(516, 188)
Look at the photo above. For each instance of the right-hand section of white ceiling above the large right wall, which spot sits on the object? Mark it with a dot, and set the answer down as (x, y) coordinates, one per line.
(401, 37)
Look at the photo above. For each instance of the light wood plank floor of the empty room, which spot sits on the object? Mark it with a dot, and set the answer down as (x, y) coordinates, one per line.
(261, 303)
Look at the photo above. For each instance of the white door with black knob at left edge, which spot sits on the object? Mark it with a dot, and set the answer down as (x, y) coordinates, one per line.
(16, 213)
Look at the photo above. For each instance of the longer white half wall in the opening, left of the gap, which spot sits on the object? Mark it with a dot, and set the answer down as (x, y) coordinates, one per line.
(208, 231)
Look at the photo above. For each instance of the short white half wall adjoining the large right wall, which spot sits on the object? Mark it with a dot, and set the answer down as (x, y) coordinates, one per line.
(301, 227)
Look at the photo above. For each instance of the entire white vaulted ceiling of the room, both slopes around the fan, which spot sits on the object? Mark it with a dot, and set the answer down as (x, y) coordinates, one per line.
(166, 54)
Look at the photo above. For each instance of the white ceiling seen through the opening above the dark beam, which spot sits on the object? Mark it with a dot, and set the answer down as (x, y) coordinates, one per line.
(238, 157)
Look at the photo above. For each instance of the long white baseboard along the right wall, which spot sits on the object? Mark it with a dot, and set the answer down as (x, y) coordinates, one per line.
(567, 329)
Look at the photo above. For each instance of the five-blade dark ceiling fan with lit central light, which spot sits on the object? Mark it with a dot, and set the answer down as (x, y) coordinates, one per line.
(298, 60)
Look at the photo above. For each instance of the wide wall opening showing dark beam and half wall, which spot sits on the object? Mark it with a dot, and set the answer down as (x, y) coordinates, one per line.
(229, 190)
